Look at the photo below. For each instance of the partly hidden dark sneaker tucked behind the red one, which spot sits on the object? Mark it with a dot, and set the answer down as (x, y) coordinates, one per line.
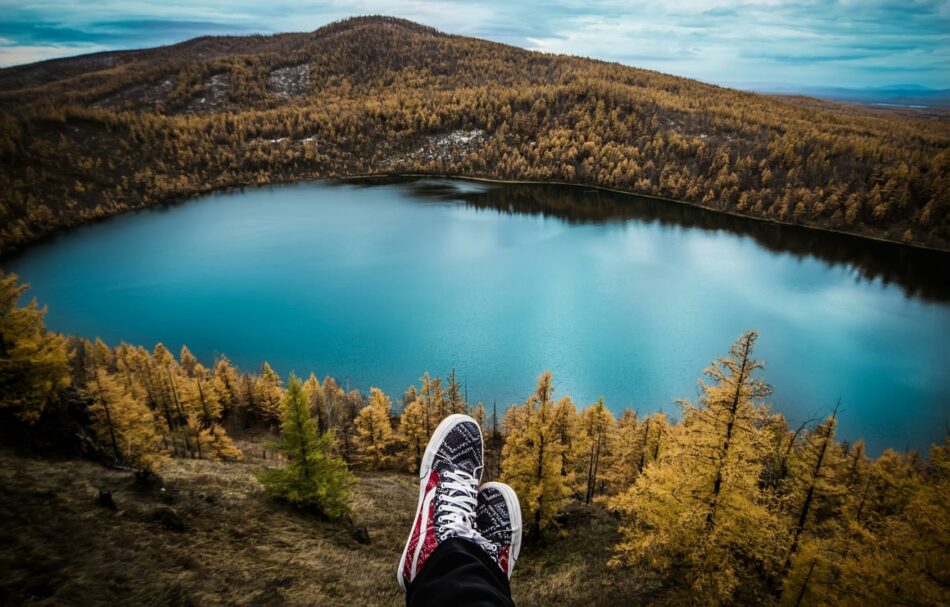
(498, 520)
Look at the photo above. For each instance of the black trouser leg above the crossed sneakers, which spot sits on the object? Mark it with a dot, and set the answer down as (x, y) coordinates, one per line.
(459, 574)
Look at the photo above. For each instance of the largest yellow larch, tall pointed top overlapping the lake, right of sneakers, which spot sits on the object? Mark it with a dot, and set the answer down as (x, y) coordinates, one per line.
(696, 515)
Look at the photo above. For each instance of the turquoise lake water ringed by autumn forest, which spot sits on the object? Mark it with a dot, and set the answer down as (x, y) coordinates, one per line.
(618, 296)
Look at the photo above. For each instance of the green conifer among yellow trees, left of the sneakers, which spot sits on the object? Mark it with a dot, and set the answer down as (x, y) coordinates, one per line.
(313, 476)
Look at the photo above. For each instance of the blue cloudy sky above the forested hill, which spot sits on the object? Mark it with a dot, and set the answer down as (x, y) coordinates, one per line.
(848, 43)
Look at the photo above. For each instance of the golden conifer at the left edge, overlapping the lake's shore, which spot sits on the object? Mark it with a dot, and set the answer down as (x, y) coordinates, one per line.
(33, 361)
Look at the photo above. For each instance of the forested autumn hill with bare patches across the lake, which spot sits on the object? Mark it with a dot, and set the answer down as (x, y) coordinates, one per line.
(92, 136)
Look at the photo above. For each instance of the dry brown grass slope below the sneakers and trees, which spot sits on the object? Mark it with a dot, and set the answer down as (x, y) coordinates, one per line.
(58, 546)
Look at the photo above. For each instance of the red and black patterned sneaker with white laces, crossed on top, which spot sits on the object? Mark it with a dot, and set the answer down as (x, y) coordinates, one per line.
(448, 493)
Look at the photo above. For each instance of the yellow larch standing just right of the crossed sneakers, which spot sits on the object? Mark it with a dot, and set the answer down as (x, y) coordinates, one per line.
(532, 458)
